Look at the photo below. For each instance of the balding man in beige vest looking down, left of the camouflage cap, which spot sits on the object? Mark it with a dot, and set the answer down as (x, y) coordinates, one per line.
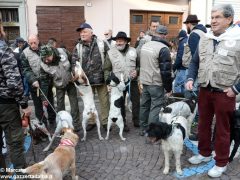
(30, 59)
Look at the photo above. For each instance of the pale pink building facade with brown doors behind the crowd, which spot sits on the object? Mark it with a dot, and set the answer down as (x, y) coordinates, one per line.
(60, 18)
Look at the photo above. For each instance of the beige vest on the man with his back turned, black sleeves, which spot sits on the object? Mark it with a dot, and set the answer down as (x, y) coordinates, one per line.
(149, 69)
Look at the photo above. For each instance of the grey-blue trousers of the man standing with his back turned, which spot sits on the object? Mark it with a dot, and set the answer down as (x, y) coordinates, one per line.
(150, 105)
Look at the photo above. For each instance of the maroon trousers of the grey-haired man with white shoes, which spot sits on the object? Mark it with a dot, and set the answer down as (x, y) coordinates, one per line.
(222, 106)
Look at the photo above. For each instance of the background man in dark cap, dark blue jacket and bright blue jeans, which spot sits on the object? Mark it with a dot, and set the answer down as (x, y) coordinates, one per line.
(181, 70)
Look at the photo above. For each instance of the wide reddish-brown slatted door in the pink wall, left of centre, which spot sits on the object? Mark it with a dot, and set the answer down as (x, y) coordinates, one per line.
(59, 23)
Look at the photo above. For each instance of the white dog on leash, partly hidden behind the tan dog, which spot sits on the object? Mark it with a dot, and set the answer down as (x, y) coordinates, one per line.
(63, 120)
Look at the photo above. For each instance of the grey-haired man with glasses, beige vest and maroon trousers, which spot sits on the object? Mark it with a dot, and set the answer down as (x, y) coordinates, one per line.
(216, 64)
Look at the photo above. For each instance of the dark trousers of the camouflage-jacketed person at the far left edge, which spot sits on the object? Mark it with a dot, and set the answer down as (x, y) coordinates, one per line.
(10, 122)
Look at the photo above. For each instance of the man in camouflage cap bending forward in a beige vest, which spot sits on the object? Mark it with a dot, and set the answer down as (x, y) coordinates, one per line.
(56, 67)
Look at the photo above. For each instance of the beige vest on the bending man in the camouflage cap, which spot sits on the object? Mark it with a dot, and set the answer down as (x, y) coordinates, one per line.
(60, 73)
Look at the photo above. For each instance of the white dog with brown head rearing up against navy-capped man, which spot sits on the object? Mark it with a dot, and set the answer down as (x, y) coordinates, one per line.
(86, 93)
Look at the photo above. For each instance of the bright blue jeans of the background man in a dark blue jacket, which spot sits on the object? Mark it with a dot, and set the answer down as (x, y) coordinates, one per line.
(179, 83)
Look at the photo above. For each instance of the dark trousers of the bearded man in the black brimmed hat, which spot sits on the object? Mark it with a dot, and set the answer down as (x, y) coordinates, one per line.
(135, 99)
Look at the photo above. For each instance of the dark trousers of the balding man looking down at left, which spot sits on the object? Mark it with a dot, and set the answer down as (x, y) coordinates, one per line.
(37, 101)
